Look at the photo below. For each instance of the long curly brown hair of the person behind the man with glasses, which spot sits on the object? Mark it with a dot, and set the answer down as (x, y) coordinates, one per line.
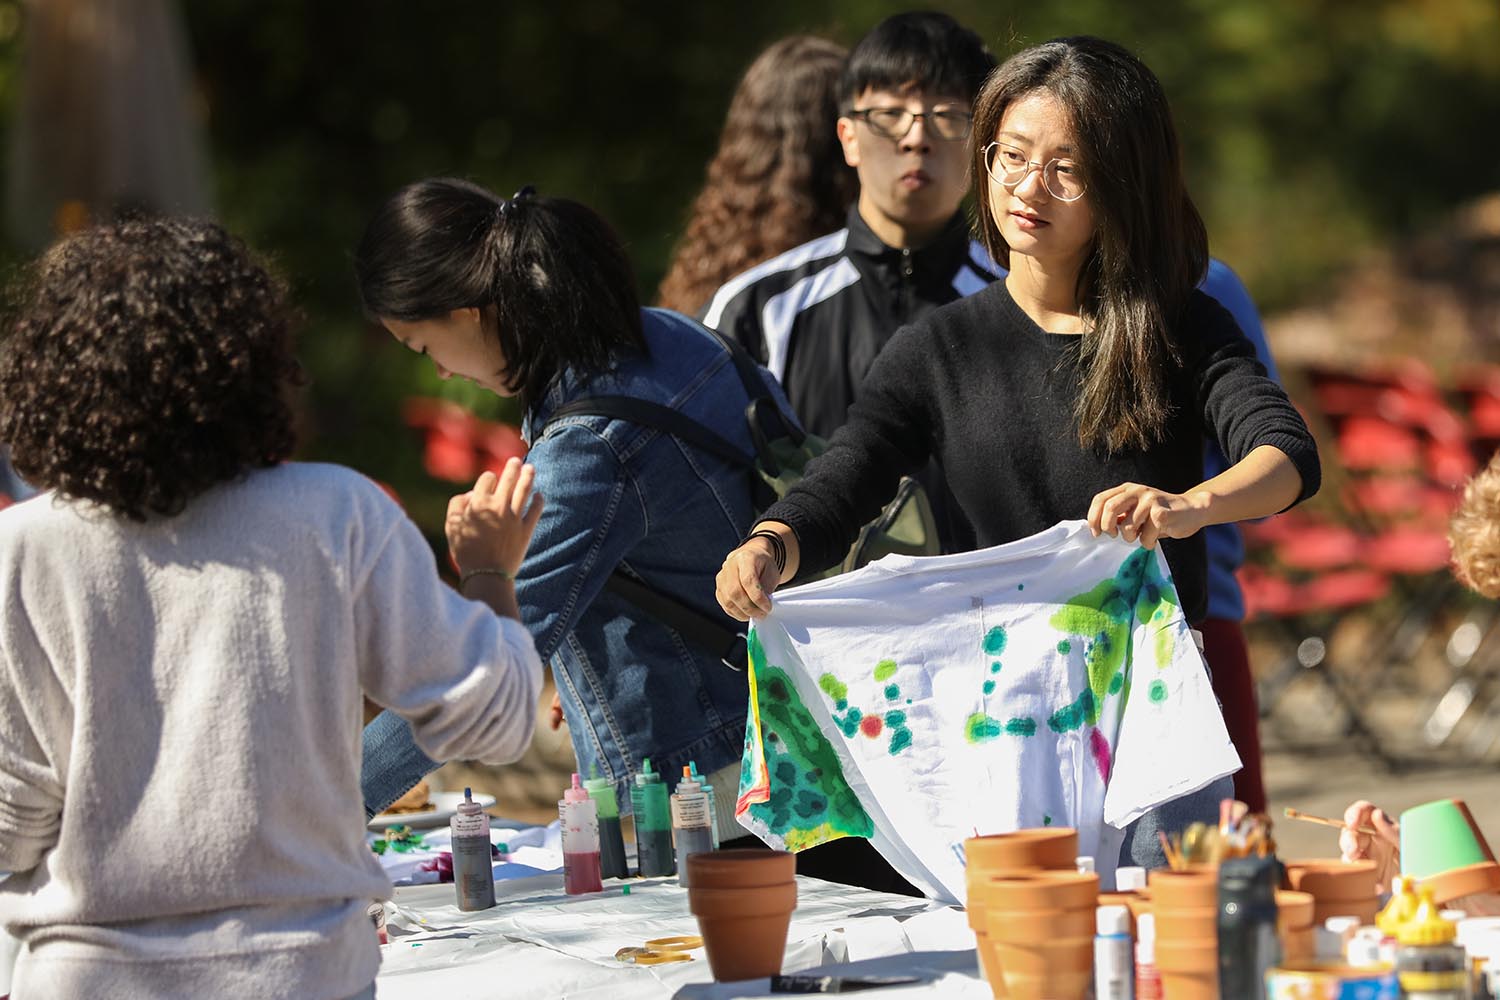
(779, 178)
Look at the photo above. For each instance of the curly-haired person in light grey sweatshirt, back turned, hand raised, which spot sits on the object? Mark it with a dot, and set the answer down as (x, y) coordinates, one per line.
(188, 623)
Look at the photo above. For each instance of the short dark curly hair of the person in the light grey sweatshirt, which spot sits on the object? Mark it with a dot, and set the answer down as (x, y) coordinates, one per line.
(151, 359)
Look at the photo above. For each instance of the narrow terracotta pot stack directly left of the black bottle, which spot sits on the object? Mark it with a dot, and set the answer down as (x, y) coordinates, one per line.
(1186, 908)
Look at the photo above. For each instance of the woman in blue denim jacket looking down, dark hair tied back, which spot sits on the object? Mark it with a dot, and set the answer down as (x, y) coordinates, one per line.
(535, 298)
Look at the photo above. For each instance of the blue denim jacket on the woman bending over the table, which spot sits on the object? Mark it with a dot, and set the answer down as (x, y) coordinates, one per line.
(623, 496)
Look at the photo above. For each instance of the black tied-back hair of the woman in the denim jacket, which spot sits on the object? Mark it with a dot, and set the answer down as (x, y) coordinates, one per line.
(550, 277)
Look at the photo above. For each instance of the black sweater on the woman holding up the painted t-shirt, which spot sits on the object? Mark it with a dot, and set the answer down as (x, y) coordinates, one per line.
(991, 395)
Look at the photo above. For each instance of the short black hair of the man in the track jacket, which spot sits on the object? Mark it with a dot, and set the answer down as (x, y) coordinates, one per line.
(926, 50)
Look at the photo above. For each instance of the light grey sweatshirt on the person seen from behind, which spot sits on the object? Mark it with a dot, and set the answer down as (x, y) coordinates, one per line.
(181, 731)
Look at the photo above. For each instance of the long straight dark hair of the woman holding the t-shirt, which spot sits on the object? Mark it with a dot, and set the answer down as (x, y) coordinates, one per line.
(1150, 245)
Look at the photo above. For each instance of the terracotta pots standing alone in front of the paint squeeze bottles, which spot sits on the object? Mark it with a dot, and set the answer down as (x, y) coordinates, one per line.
(743, 902)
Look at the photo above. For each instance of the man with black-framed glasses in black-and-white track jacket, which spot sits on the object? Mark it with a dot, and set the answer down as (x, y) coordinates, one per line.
(818, 314)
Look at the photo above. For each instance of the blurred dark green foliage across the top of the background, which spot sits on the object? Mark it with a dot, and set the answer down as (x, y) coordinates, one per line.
(1315, 130)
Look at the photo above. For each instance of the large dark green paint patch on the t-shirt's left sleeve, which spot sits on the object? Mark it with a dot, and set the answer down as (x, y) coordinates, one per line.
(809, 789)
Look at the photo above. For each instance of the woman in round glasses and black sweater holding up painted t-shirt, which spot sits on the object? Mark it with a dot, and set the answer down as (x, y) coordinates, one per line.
(1084, 383)
